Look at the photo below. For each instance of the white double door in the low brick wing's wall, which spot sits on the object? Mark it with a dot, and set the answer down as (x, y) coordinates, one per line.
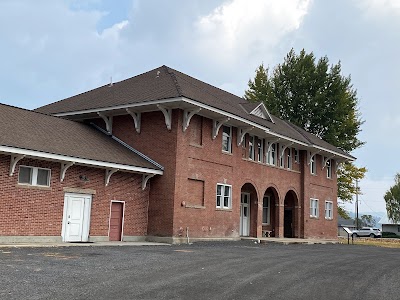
(76, 221)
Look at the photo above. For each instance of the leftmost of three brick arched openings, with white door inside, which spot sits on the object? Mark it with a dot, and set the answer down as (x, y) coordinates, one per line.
(248, 210)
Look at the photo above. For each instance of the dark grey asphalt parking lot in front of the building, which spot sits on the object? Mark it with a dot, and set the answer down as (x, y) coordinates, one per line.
(220, 270)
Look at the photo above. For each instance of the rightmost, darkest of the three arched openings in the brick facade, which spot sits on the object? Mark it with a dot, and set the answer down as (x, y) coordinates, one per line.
(290, 215)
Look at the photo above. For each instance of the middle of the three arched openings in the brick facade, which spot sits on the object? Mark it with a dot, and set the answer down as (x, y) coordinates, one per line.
(270, 214)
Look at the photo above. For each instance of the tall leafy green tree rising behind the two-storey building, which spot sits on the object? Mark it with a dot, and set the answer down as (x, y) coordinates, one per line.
(315, 96)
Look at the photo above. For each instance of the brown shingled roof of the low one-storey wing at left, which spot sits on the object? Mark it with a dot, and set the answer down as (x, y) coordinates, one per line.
(27, 130)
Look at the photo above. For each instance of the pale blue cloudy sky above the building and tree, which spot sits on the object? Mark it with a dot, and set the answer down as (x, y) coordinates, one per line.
(52, 49)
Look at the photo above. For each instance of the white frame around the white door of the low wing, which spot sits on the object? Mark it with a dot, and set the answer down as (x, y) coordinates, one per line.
(86, 213)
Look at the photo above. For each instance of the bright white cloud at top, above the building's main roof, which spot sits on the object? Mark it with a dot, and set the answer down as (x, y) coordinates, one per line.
(240, 29)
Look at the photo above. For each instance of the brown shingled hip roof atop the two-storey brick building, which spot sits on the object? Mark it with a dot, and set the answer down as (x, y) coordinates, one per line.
(166, 83)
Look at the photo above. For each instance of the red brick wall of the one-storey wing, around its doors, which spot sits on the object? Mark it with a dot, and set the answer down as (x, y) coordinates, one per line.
(38, 211)
